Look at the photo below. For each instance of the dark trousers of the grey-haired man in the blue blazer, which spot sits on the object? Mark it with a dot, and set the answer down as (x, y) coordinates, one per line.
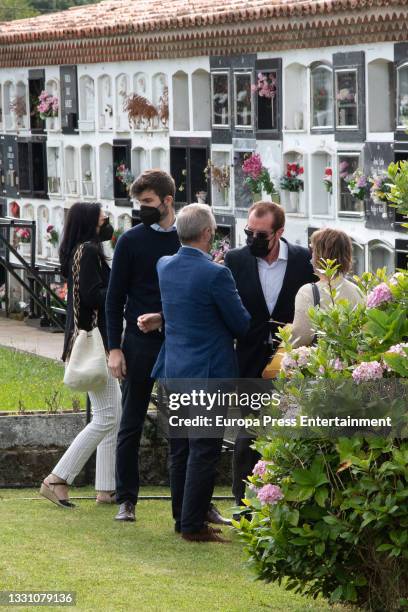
(193, 463)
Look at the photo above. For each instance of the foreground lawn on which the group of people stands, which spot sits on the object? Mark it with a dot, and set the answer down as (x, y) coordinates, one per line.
(128, 566)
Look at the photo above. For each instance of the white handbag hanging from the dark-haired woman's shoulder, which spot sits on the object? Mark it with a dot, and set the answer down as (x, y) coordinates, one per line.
(87, 369)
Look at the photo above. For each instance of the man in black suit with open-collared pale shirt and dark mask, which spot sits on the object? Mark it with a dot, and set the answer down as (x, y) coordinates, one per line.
(268, 272)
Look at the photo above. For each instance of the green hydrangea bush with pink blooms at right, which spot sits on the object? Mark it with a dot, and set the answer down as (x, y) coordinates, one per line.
(330, 517)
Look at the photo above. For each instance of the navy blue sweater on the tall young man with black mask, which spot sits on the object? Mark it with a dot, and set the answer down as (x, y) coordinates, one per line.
(134, 284)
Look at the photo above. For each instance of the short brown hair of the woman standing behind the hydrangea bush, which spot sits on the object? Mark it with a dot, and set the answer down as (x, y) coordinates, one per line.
(335, 244)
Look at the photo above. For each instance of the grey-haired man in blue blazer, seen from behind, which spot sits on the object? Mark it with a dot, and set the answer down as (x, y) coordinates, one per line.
(203, 313)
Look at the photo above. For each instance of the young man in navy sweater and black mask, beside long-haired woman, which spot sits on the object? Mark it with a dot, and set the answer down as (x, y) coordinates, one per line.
(133, 293)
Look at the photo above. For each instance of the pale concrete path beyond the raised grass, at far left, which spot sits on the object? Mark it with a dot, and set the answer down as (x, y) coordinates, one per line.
(18, 335)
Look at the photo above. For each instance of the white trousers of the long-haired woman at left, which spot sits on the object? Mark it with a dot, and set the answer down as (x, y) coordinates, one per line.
(99, 434)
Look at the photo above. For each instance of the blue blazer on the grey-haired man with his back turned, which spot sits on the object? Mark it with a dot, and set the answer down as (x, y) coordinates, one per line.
(203, 313)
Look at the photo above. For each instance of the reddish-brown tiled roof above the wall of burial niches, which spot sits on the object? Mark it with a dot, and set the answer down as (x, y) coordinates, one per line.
(116, 30)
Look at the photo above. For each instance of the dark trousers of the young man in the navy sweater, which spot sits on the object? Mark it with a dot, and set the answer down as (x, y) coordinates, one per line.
(140, 353)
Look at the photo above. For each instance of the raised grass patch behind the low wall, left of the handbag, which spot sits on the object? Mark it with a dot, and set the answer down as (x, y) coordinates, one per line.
(29, 382)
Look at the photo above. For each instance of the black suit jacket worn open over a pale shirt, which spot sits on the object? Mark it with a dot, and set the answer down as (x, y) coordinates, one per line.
(253, 351)
